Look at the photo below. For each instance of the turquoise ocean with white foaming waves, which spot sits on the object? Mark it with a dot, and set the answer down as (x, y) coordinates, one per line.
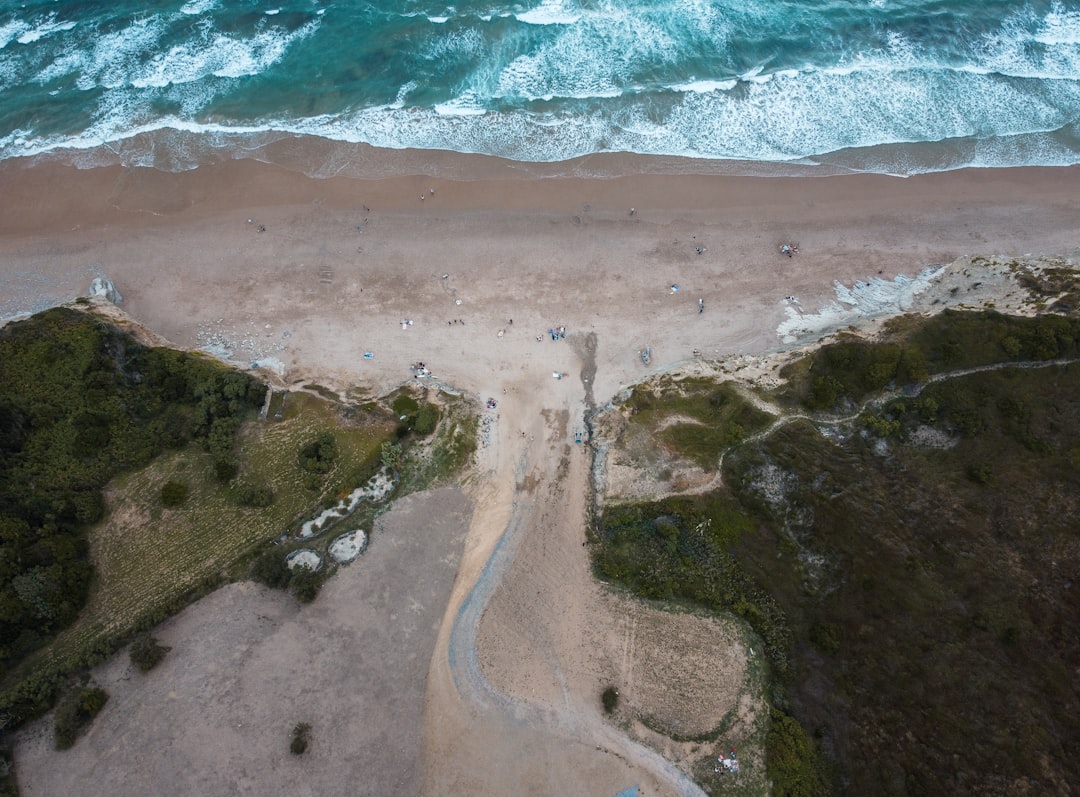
(897, 87)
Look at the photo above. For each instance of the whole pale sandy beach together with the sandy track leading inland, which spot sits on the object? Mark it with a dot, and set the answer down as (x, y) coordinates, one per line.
(483, 265)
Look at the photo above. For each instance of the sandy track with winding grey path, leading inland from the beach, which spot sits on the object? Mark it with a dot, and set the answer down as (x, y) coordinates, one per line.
(505, 709)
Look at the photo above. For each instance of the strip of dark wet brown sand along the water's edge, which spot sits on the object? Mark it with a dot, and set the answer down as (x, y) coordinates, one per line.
(44, 188)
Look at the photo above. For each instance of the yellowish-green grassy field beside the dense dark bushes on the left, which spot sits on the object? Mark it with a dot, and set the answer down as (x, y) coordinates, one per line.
(148, 559)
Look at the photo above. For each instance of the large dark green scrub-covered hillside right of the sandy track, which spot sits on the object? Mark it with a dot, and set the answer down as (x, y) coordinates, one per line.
(907, 573)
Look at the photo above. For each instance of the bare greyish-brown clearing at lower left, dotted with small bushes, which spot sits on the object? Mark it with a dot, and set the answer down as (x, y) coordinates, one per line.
(248, 664)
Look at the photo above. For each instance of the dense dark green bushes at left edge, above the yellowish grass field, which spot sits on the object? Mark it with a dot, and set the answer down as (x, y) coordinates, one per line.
(80, 402)
